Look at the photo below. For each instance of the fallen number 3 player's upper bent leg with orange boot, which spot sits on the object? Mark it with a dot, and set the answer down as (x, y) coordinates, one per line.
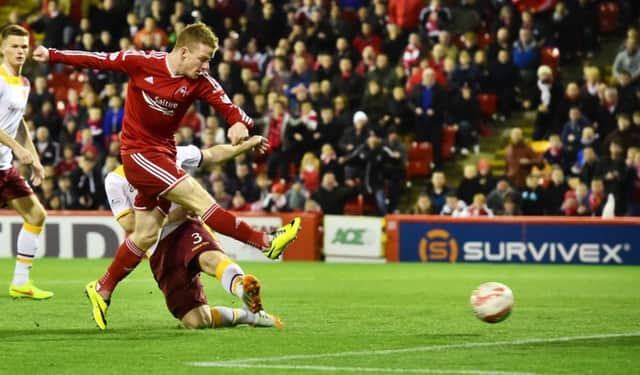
(232, 278)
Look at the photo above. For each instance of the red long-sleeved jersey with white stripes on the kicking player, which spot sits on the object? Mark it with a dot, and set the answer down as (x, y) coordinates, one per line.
(157, 99)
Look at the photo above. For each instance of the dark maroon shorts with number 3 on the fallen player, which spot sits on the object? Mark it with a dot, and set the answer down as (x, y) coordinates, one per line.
(176, 269)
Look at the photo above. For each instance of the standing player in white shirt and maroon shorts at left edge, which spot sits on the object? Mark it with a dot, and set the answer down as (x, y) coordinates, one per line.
(14, 136)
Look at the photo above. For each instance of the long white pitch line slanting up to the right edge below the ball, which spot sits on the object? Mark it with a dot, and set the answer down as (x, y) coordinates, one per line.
(418, 349)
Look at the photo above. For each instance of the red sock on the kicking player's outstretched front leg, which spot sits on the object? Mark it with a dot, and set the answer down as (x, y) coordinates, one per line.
(224, 222)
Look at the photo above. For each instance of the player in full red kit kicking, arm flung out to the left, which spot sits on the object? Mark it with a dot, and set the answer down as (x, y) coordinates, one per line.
(161, 88)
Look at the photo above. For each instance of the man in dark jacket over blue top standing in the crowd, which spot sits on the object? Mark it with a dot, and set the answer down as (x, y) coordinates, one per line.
(429, 103)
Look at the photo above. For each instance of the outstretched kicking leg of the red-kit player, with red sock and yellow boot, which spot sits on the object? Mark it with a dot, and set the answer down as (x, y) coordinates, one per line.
(189, 194)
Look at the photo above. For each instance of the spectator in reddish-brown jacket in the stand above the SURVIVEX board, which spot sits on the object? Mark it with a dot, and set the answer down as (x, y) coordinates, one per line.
(520, 158)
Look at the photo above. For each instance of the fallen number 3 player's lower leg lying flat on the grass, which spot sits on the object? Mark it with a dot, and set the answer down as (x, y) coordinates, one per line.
(218, 317)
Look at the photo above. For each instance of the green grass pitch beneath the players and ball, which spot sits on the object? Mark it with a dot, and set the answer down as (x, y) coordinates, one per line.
(339, 319)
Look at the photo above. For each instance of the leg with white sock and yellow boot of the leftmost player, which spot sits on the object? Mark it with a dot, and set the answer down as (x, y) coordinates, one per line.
(34, 216)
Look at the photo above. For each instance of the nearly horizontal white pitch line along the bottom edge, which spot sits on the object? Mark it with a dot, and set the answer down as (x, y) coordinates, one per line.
(367, 369)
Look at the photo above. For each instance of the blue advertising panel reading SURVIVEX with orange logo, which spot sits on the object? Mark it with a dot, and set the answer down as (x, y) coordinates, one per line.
(549, 243)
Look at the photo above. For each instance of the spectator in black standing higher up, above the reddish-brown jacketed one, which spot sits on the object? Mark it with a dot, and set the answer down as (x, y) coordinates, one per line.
(504, 76)
